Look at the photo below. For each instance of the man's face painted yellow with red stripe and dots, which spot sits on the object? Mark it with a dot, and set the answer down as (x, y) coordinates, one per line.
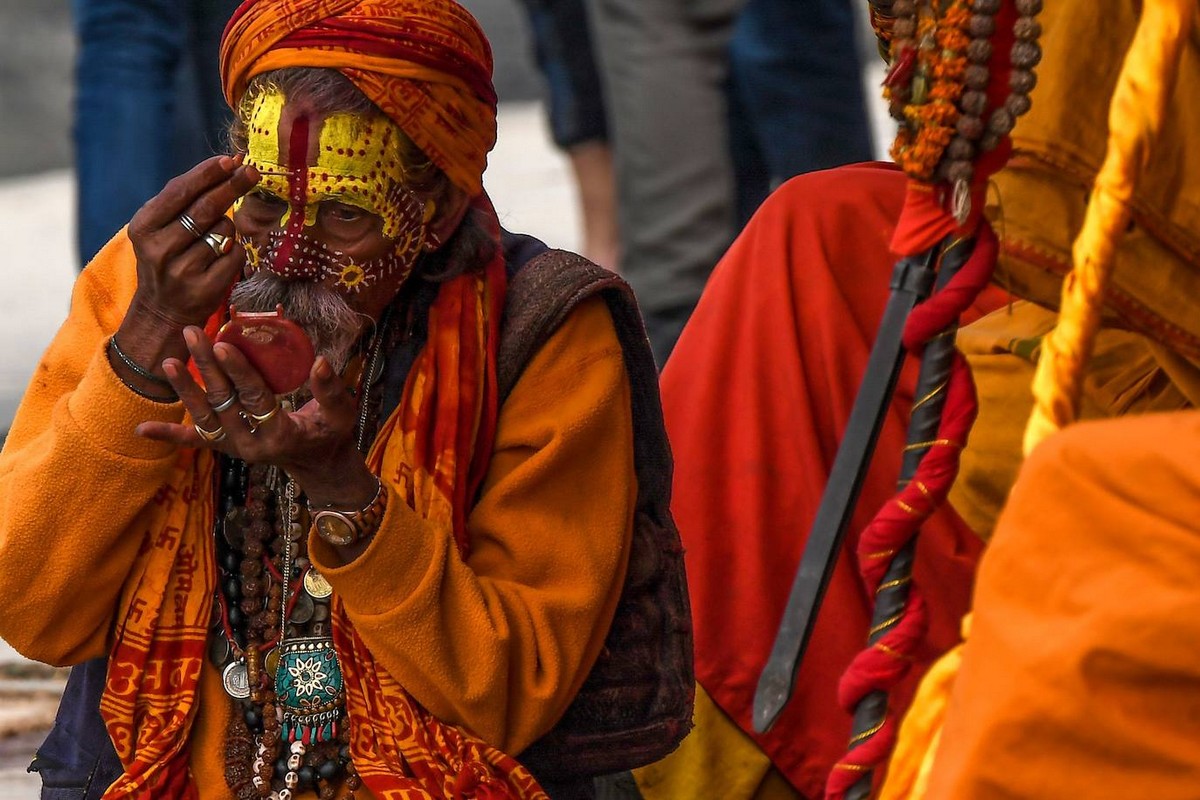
(332, 204)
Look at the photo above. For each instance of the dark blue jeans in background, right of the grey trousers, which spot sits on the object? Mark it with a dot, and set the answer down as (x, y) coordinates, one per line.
(796, 100)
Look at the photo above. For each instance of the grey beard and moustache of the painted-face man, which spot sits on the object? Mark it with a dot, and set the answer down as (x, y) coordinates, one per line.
(322, 312)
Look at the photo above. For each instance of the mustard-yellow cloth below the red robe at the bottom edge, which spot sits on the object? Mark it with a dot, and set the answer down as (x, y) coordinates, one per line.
(718, 760)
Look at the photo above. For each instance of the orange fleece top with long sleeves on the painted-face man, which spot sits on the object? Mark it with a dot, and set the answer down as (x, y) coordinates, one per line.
(499, 643)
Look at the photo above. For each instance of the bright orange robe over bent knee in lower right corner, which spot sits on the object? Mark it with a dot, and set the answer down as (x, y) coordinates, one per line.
(1081, 677)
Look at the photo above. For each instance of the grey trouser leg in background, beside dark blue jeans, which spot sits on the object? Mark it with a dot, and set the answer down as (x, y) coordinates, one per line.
(664, 65)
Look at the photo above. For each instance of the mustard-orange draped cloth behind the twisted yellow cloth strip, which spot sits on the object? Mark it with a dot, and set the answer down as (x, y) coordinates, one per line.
(1041, 199)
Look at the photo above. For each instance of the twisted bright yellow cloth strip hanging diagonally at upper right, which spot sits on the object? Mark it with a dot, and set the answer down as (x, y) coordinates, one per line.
(1136, 118)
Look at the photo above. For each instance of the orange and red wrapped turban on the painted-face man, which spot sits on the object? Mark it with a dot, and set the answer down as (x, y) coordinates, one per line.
(427, 64)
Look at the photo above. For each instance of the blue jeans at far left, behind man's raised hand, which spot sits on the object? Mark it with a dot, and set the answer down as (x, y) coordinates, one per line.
(148, 104)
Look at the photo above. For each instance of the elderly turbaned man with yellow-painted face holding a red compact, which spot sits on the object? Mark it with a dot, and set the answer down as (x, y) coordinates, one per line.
(461, 576)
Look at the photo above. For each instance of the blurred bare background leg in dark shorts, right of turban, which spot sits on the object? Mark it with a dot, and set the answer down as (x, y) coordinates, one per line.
(577, 112)
